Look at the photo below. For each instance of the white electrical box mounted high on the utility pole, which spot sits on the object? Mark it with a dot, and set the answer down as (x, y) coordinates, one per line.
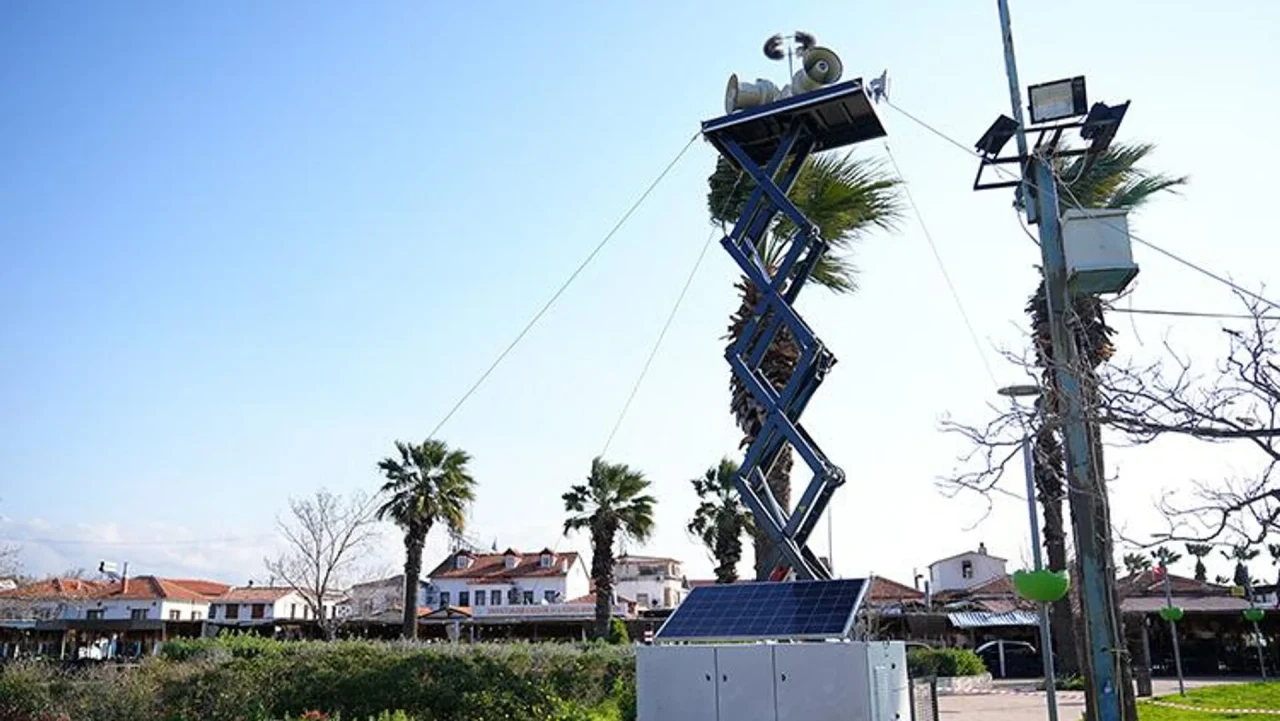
(1099, 250)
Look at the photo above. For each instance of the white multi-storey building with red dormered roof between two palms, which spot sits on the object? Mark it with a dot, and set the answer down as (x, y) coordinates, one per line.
(476, 581)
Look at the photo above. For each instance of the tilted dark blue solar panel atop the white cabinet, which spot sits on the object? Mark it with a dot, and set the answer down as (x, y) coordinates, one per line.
(755, 612)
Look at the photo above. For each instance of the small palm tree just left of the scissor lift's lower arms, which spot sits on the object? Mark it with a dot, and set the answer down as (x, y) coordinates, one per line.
(721, 519)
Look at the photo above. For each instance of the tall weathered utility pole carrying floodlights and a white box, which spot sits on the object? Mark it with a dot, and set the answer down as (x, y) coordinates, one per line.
(1086, 492)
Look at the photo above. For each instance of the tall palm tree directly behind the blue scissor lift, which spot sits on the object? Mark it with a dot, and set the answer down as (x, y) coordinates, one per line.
(847, 199)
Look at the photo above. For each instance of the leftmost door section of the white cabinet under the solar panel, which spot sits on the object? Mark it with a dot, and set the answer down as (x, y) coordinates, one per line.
(676, 683)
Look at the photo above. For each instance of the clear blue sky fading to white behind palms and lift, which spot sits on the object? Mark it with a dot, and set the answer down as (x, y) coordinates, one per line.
(246, 247)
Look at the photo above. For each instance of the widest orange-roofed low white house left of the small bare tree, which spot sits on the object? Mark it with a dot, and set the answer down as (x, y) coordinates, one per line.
(150, 599)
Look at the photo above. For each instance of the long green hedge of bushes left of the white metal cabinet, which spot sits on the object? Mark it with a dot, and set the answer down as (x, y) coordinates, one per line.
(258, 679)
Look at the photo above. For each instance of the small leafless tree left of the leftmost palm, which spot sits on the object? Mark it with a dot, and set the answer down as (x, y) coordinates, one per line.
(324, 536)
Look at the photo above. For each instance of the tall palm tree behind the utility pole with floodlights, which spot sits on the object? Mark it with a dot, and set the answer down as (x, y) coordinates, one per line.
(1116, 180)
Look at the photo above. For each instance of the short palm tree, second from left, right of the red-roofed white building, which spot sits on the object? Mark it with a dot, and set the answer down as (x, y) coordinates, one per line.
(611, 505)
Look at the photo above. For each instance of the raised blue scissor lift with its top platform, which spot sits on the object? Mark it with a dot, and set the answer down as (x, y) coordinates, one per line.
(771, 144)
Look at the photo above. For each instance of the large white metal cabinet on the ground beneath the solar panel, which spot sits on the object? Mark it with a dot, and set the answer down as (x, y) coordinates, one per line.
(774, 682)
